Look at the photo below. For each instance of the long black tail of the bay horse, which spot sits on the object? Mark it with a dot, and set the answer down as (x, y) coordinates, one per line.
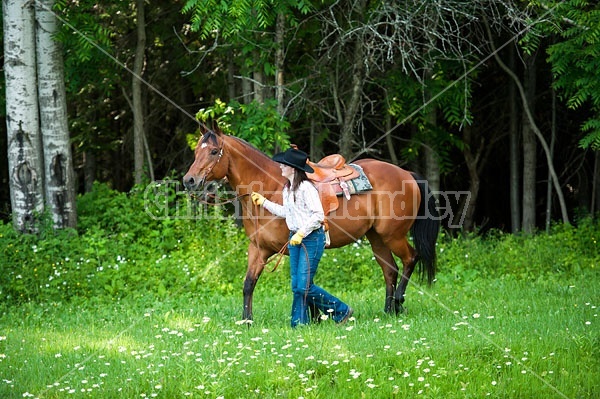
(425, 231)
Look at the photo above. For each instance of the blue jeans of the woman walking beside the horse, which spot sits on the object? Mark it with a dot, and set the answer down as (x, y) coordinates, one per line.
(304, 260)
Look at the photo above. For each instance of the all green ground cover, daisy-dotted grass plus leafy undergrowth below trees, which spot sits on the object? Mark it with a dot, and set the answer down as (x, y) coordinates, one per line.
(130, 306)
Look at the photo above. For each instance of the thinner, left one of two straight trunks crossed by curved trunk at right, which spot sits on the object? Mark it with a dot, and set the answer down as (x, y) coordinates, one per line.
(514, 186)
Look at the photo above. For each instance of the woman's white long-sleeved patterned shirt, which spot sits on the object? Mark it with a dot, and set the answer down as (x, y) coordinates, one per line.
(304, 214)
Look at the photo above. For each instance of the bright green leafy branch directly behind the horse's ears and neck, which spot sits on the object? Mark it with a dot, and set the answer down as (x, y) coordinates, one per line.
(259, 124)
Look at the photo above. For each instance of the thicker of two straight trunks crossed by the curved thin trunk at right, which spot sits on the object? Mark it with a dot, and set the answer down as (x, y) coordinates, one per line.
(529, 150)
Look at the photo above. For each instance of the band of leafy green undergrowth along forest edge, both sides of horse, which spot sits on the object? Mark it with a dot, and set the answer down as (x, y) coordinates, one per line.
(128, 247)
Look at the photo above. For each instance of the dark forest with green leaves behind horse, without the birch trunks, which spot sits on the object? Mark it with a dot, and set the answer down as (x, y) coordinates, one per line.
(497, 98)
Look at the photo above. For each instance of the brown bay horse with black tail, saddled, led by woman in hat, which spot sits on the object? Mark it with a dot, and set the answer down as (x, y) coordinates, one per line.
(399, 202)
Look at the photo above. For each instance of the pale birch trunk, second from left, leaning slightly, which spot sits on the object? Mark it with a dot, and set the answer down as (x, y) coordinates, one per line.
(59, 182)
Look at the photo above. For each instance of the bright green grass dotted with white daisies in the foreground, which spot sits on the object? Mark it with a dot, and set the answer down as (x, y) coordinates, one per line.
(499, 337)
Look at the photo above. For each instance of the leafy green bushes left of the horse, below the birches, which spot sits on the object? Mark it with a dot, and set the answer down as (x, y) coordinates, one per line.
(123, 251)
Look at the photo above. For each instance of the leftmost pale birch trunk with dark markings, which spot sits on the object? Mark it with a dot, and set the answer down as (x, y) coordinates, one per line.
(22, 121)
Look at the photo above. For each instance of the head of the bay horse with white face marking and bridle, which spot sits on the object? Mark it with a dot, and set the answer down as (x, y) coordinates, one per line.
(208, 164)
